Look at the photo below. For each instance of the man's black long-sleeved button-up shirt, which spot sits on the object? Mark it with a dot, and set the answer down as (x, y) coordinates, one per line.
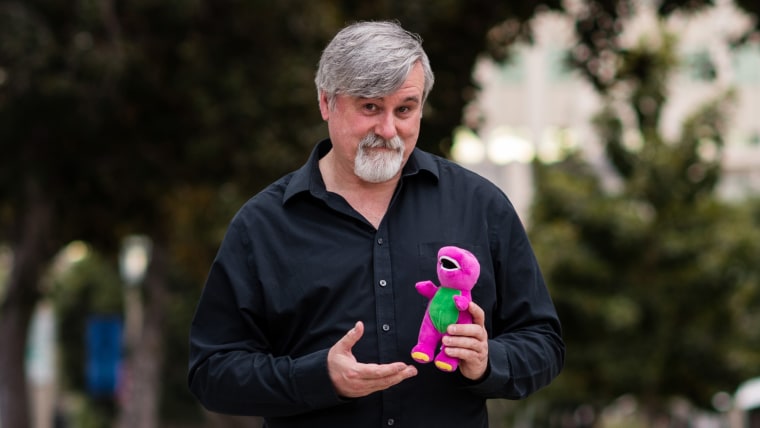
(299, 266)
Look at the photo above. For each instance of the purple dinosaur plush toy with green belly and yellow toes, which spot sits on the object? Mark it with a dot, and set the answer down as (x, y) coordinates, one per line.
(458, 271)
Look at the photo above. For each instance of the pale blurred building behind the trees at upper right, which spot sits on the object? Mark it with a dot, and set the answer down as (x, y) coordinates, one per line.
(534, 105)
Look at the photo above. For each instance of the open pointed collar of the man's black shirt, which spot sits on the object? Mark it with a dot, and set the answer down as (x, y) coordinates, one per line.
(309, 179)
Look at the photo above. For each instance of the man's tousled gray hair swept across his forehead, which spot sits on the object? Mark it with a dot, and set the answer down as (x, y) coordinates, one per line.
(369, 60)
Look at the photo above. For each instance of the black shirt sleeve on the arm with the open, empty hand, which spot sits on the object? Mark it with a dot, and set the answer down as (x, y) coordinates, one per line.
(232, 369)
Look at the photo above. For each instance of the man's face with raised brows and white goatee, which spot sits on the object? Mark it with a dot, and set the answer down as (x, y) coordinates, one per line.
(373, 137)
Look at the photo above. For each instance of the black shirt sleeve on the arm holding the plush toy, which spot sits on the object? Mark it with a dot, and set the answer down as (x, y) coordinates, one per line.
(526, 350)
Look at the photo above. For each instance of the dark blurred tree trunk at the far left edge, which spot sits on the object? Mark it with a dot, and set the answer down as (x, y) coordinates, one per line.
(32, 248)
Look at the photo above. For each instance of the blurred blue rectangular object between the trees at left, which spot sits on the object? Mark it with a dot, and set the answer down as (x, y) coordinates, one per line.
(104, 344)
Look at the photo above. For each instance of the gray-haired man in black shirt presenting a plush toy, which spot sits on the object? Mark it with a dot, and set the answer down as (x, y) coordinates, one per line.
(310, 312)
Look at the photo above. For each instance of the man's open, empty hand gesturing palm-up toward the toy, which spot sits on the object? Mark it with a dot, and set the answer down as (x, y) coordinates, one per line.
(354, 379)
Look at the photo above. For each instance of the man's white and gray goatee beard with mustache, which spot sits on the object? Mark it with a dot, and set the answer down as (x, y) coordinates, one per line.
(381, 165)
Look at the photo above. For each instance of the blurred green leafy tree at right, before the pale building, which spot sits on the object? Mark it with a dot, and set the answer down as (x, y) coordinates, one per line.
(650, 271)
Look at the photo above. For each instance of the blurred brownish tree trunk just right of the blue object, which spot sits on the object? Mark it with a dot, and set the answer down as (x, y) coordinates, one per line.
(140, 400)
